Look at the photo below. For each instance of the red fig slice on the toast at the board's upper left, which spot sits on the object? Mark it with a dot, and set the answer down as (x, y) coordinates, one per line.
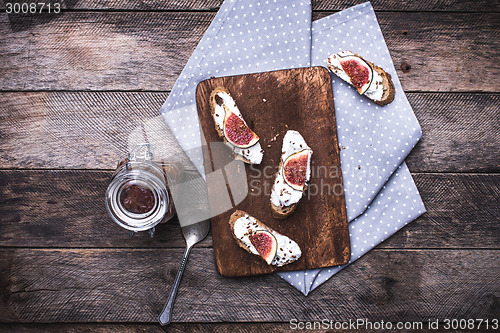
(237, 132)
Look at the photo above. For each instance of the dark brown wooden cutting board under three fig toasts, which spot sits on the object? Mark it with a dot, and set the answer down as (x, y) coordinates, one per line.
(271, 103)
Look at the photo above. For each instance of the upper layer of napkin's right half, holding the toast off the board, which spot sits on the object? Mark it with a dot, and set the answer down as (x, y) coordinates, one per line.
(374, 140)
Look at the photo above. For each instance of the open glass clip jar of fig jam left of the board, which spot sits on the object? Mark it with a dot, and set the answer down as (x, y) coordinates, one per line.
(138, 197)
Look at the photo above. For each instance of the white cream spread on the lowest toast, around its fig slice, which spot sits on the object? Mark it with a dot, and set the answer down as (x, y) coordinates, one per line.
(287, 250)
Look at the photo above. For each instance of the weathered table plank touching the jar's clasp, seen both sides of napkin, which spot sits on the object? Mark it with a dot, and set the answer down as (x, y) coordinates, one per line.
(94, 130)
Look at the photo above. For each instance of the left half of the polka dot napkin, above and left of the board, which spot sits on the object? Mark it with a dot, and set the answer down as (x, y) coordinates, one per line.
(244, 37)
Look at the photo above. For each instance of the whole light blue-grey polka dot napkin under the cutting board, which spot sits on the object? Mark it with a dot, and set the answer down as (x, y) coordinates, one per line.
(254, 36)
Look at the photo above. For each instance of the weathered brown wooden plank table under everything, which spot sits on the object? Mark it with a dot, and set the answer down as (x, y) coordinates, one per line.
(74, 85)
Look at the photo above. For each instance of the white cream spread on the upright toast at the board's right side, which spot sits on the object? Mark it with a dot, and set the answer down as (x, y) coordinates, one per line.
(283, 194)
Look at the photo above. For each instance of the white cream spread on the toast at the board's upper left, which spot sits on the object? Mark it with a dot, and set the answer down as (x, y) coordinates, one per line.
(254, 153)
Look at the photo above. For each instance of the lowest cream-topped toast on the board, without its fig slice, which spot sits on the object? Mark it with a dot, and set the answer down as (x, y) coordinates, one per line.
(287, 250)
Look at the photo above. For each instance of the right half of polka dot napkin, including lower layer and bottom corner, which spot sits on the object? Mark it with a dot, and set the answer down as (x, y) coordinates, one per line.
(374, 141)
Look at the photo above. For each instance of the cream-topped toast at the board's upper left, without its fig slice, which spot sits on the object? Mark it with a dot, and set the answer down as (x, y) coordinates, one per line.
(250, 155)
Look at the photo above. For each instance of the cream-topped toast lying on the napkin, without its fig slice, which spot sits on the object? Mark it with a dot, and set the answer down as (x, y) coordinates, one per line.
(384, 82)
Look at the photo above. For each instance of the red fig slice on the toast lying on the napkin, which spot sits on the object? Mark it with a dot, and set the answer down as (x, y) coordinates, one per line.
(359, 71)
